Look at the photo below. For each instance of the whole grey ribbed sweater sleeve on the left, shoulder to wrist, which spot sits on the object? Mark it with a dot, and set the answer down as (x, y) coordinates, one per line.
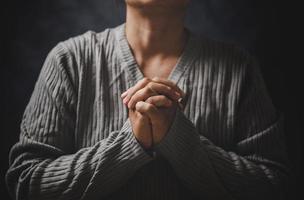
(44, 165)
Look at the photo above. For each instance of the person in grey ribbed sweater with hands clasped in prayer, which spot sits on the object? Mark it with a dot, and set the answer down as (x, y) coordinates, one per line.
(149, 110)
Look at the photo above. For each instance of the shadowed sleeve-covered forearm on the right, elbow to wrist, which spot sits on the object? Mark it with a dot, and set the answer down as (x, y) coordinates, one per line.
(214, 173)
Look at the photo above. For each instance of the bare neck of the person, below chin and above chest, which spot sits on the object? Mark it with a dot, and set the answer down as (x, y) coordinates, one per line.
(155, 34)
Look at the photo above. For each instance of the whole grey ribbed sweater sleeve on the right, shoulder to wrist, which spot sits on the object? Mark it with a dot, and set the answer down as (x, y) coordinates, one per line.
(254, 169)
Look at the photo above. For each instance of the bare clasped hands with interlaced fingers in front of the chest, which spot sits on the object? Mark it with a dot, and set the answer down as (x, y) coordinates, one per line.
(152, 104)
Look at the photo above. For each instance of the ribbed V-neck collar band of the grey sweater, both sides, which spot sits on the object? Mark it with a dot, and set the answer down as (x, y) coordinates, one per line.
(128, 61)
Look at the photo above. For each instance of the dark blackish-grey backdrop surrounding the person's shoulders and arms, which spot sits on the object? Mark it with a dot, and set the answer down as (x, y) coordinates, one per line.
(269, 29)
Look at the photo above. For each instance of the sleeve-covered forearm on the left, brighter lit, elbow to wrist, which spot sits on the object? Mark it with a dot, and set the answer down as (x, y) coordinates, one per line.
(89, 174)
